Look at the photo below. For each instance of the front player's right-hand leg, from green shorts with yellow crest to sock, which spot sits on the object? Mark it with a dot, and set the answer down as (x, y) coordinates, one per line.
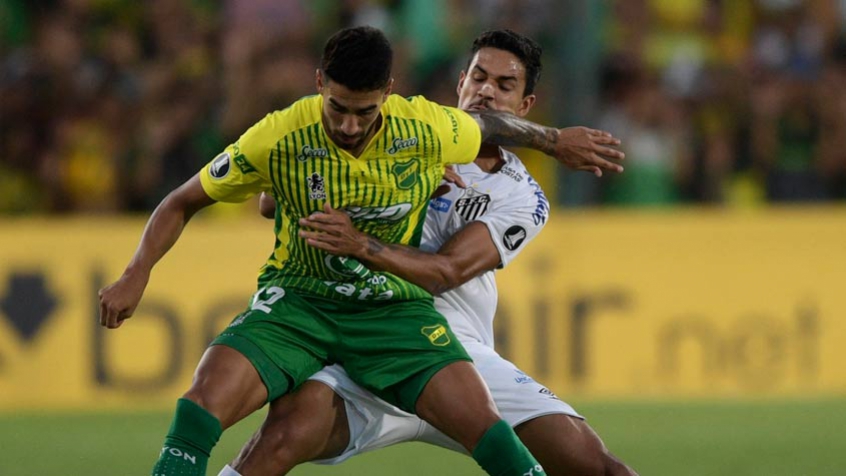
(421, 367)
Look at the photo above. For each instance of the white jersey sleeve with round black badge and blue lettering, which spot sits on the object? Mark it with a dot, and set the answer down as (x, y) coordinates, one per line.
(513, 224)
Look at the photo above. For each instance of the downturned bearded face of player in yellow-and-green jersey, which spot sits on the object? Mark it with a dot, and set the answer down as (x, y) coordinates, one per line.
(350, 117)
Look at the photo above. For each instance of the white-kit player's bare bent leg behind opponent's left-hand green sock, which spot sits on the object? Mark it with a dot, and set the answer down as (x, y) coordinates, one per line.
(308, 424)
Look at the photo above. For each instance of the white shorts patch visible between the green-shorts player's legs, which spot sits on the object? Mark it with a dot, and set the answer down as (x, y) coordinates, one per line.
(372, 423)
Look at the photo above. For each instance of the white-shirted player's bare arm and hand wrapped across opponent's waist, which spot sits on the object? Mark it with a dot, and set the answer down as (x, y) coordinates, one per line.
(467, 254)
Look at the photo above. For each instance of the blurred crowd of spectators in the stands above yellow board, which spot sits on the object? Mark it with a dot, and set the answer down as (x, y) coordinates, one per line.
(106, 105)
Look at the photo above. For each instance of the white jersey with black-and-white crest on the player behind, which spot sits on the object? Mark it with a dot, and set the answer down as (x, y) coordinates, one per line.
(513, 207)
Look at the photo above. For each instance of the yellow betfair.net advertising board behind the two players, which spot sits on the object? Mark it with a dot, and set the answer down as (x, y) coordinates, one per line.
(705, 304)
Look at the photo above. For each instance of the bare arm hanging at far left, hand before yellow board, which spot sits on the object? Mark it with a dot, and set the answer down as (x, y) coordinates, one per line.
(119, 300)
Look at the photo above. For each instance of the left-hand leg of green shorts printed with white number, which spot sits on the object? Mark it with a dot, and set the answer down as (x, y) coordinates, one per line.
(284, 337)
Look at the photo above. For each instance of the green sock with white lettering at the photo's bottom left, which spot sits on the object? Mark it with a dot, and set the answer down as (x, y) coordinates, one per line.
(193, 433)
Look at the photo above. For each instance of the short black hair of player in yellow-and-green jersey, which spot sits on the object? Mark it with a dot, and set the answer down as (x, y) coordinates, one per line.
(358, 58)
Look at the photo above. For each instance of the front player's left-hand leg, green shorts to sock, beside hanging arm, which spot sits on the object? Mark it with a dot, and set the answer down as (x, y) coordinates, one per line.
(265, 352)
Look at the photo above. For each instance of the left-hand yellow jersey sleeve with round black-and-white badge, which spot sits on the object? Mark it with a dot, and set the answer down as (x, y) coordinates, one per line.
(241, 170)
